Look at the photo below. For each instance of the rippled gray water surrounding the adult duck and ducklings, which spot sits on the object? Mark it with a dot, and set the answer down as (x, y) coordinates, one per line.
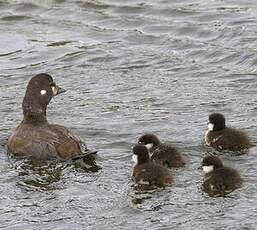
(129, 67)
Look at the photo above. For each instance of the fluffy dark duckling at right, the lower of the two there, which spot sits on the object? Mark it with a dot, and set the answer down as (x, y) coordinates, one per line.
(218, 177)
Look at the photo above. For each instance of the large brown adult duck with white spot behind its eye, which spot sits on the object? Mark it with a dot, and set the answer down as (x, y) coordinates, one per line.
(35, 136)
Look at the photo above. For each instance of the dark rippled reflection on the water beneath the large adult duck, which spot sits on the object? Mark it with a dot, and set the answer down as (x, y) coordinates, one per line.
(36, 175)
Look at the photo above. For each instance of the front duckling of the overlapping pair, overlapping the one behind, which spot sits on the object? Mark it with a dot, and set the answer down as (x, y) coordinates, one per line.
(145, 170)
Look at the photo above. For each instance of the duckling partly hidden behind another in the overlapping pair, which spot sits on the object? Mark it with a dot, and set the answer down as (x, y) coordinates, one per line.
(162, 153)
